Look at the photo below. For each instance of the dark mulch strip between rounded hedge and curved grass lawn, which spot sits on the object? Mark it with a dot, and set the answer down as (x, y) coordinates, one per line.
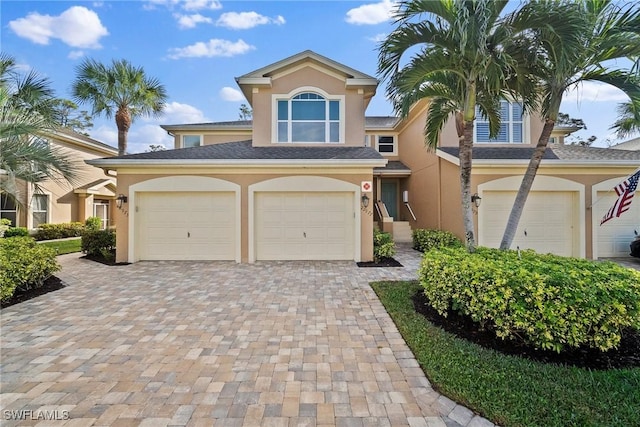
(627, 355)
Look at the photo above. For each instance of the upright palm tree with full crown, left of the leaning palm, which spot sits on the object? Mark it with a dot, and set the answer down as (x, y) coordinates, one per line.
(464, 58)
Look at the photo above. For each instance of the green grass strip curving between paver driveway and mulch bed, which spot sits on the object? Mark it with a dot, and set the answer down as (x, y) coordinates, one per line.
(508, 390)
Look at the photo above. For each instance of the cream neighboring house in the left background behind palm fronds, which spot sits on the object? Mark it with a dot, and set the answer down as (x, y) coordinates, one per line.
(91, 194)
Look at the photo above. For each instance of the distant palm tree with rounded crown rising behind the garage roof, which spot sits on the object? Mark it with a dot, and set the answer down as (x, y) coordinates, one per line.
(121, 90)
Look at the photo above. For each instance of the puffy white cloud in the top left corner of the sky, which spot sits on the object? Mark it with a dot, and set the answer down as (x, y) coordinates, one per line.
(77, 27)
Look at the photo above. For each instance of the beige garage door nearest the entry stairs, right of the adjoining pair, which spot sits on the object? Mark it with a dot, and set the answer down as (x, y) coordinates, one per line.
(304, 226)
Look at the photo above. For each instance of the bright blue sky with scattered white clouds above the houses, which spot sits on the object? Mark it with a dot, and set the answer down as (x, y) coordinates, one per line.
(197, 47)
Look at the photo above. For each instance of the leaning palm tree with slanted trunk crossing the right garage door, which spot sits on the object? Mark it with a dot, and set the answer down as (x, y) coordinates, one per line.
(608, 32)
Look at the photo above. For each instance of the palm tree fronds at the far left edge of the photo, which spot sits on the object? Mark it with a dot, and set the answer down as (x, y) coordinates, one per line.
(27, 115)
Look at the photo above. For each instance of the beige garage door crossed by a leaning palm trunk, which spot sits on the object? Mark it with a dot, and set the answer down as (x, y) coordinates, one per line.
(547, 222)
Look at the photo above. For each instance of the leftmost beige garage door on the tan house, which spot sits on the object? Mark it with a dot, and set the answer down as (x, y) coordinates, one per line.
(186, 226)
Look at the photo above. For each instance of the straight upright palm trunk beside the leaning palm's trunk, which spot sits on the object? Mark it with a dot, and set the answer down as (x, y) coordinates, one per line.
(466, 155)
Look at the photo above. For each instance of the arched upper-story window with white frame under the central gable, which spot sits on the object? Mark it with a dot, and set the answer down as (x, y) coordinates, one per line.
(308, 117)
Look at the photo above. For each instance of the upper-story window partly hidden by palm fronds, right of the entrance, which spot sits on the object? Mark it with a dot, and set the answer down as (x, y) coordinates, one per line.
(511, 127)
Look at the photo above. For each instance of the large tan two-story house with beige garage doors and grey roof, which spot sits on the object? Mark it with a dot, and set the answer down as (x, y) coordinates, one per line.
(309, 176)
